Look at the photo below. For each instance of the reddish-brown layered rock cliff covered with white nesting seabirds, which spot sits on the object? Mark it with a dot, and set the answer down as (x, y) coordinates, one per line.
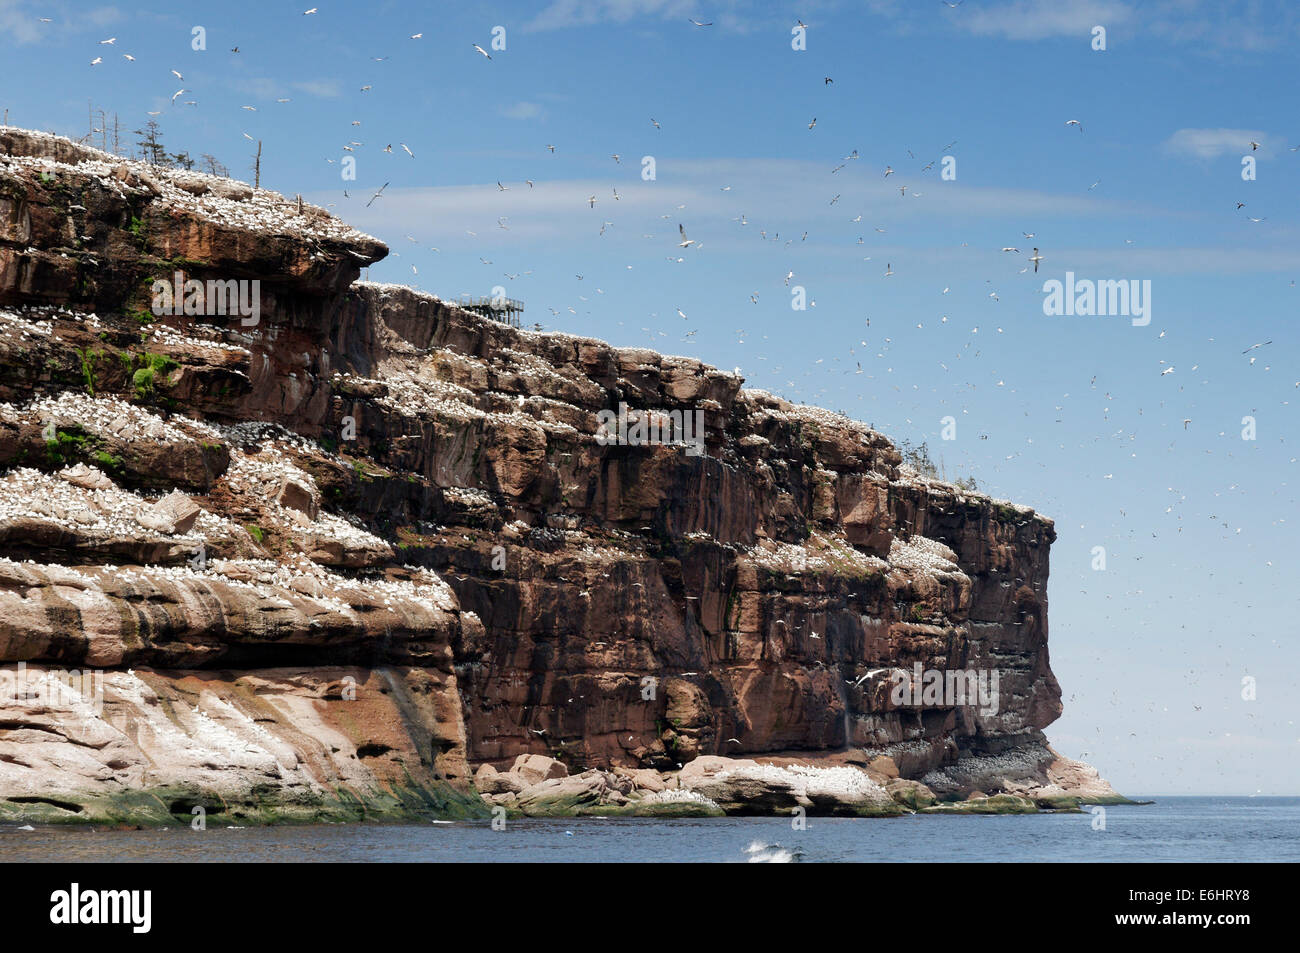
(335, 560)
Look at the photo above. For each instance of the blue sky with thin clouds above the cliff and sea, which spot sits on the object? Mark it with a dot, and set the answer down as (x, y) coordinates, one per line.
(1072, 415)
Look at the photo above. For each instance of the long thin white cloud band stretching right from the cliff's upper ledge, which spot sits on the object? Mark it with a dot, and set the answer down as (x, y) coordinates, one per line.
(782, 197)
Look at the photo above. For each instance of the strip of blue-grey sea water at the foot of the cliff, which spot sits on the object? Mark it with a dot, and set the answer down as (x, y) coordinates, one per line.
(1172, 830)
